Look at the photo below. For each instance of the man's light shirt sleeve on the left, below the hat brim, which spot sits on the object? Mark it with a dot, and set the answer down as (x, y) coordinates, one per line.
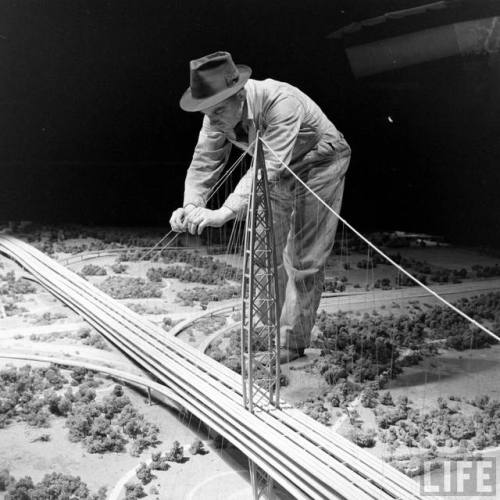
(209, 158)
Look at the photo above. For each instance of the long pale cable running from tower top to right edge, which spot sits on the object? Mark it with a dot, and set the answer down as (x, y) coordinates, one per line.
(368, 242)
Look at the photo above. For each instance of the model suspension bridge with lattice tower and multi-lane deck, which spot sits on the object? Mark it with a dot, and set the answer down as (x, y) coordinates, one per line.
(283, 445)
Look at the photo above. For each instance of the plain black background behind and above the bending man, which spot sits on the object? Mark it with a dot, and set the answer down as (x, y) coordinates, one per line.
(91, 131)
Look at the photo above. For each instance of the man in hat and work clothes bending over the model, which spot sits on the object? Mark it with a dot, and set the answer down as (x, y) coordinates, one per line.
(234, 107)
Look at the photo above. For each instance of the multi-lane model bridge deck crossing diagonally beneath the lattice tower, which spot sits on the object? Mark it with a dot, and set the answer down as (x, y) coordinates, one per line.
(307, 459)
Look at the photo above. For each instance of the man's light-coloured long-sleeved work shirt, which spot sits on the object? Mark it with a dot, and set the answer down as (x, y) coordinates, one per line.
(290, 122)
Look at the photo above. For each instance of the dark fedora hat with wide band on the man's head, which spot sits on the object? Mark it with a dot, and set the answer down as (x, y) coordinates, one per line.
(213, 78)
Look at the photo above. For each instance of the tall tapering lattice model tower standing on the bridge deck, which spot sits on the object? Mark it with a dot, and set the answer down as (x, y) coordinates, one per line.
(260, 332)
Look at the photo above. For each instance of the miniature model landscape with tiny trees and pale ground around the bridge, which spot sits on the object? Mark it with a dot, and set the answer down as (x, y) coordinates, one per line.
(390, 367)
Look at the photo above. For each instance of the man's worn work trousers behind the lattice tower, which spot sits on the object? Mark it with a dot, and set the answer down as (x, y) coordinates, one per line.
(304, 231)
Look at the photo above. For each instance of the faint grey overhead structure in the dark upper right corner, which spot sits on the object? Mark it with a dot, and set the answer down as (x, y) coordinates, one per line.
(421, 34)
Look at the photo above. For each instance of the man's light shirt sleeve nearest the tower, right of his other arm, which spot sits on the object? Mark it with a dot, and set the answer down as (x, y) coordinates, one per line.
(283, 119)
